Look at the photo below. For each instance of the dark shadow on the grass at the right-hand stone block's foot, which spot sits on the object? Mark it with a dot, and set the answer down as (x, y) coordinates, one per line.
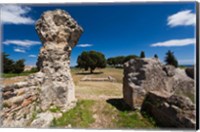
(119, 104)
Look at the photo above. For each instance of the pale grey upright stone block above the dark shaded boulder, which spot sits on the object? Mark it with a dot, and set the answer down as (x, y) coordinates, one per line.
(143, 75)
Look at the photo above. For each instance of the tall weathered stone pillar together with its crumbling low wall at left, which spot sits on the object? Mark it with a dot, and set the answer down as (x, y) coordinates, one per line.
(27, 104)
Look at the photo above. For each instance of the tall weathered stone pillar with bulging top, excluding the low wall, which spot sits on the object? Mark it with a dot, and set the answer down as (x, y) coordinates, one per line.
(59, 33)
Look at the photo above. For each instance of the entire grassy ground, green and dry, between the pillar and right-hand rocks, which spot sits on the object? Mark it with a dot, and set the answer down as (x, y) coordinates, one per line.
(100, 104)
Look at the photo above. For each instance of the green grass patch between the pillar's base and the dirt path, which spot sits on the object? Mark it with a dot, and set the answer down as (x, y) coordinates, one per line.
(79, 117)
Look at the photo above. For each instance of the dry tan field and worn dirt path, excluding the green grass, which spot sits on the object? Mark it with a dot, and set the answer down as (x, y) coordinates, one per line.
(103, 93)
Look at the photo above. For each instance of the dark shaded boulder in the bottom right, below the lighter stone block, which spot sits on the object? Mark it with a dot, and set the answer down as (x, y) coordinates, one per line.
(170, 111)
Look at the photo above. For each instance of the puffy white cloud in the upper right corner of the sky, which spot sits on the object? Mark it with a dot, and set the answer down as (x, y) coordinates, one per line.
(182, 18)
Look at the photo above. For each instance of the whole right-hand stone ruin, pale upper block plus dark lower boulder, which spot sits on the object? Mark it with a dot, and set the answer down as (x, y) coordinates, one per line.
(147, 80)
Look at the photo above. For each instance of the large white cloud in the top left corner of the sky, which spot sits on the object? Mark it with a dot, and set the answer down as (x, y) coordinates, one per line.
(15, 14)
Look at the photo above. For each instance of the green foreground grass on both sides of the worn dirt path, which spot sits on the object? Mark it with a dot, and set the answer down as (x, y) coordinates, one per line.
(82, 117)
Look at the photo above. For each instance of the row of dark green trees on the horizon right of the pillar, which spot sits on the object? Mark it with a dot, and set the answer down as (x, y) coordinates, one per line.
(90, 60)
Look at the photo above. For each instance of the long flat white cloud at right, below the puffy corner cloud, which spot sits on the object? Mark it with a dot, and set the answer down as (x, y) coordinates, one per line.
(174, 42)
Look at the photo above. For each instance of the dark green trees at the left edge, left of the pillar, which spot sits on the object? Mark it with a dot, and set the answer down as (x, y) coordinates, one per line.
(11, 66)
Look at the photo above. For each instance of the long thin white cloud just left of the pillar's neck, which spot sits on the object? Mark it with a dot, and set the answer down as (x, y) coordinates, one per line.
(23, 43)
